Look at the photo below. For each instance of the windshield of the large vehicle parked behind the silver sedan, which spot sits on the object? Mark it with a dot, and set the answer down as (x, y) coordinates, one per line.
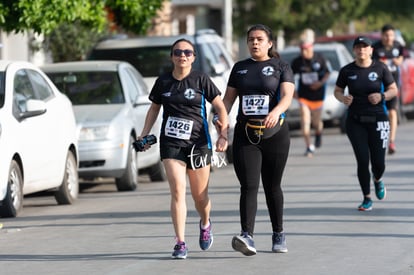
(149, 61)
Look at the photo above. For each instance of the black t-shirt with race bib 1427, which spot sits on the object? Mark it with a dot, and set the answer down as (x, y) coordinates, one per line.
(258, 85)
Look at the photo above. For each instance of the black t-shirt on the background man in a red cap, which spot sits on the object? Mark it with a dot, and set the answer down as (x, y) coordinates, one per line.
(310, 71)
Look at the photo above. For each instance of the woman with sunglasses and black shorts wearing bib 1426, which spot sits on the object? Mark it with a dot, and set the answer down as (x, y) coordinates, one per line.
(185, 143)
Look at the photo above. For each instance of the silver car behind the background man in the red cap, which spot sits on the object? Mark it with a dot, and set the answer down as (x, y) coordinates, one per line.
(337, 56)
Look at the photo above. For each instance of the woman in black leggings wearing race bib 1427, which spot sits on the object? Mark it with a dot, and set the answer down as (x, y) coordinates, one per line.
(264, 85)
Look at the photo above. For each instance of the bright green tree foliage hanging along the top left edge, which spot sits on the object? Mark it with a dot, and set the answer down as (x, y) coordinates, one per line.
(44, 16)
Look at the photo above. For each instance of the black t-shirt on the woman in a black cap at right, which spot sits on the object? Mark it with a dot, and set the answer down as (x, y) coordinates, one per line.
(364, 81)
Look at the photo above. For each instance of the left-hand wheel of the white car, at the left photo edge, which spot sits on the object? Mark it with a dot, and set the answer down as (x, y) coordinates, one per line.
(13, 201)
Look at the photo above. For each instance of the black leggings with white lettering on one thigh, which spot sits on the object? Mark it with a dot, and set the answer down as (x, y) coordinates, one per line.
(369, 140)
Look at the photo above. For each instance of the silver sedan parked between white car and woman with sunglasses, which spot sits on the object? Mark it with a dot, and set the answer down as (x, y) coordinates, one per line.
(110, 101)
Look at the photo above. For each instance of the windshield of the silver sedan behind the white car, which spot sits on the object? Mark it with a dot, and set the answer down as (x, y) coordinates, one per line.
(89, 87)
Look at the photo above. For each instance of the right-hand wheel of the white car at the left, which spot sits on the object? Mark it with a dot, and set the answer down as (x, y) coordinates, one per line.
(69, 189)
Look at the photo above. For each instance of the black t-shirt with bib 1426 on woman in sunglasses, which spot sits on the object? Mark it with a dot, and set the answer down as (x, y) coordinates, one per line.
(184, 108)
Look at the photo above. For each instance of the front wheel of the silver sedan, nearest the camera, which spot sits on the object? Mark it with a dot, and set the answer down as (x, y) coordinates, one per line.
(129, 180)
